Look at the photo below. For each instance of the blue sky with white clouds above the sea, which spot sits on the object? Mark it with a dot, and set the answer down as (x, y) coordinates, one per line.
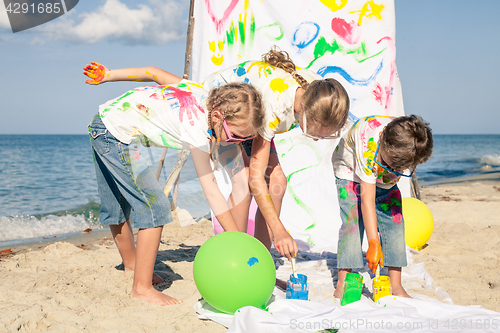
(447, 56)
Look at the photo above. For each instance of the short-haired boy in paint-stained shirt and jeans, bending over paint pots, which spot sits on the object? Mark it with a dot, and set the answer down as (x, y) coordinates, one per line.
(368, 163)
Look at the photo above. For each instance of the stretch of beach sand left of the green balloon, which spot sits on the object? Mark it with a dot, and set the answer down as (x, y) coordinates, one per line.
(78, 285)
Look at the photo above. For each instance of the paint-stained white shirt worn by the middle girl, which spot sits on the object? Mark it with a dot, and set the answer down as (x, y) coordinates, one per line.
(277, 87)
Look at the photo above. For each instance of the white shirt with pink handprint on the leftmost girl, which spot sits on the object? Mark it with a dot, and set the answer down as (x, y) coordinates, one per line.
(172, 116)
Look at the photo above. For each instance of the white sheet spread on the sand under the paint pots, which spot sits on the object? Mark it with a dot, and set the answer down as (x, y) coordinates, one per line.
(420, 314)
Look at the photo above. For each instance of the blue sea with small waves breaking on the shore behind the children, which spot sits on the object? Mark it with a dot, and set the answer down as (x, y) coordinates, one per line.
(48, 187)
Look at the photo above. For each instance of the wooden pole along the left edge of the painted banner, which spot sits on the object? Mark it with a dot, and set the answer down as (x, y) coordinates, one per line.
(182, 156)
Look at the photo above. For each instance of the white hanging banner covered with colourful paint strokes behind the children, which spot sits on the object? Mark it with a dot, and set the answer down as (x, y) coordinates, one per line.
(352, 41)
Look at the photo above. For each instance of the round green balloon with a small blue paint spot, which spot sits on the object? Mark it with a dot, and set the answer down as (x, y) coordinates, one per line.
(232, 270)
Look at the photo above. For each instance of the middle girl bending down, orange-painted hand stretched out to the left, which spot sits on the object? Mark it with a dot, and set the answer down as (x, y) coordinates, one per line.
(292, 97)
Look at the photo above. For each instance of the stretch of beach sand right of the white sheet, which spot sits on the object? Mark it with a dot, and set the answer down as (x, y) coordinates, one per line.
(463, 254)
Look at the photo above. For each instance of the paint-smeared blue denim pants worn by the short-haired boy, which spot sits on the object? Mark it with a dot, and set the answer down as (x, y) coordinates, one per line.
(389, 222)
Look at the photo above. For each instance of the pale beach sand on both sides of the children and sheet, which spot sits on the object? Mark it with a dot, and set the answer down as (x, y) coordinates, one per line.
(77, 284)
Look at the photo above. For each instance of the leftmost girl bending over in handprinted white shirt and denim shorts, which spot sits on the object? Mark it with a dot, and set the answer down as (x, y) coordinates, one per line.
(181, 116)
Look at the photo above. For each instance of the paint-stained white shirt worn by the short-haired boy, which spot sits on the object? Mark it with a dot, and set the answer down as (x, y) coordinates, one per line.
(354, 157)
